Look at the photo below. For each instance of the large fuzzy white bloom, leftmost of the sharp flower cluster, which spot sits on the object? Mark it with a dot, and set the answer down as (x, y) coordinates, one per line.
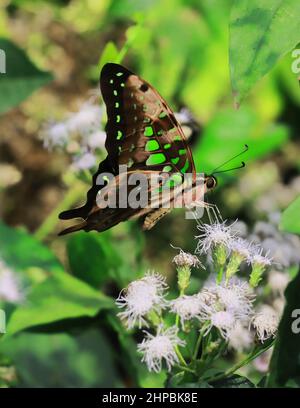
(141, 297)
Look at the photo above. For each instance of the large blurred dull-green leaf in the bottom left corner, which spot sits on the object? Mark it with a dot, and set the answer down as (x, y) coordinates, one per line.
(61, 360)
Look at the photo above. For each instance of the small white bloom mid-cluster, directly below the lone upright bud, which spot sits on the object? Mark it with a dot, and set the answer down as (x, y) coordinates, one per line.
(186, 307)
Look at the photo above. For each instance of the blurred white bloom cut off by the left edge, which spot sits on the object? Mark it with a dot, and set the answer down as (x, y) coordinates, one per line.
(10, 288)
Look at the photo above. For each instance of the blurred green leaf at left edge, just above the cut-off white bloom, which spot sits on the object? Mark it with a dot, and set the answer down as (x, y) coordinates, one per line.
(21, 251)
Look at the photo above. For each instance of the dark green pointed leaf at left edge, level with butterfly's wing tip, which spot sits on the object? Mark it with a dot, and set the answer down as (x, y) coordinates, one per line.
(21, 77)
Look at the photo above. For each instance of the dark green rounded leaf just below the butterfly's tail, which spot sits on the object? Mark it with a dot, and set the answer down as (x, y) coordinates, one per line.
(92, 258)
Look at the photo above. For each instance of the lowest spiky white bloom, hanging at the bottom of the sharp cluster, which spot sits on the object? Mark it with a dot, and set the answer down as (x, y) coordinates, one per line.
(160, 347)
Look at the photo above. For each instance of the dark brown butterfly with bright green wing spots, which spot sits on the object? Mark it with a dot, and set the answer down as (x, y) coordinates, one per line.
(143, 134)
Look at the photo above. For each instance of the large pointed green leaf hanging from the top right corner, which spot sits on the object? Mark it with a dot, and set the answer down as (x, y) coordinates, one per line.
(261, 32)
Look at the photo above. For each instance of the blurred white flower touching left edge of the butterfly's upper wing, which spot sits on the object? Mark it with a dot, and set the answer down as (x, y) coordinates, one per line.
(86, 120)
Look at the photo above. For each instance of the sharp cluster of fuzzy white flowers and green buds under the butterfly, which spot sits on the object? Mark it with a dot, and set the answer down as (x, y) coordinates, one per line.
(225, 305)
